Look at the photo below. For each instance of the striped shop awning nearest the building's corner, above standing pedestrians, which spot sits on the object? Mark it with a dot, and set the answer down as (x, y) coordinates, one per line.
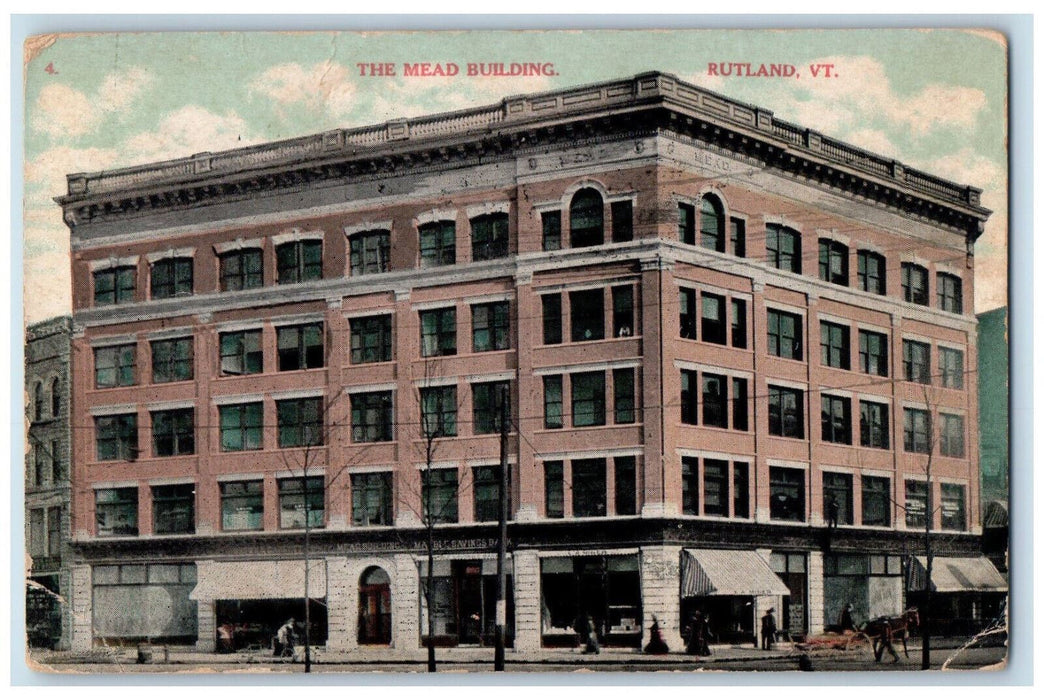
(728, 573)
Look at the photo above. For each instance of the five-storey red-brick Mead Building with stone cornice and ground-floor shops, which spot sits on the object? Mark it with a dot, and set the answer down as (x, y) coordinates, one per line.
(733, 354)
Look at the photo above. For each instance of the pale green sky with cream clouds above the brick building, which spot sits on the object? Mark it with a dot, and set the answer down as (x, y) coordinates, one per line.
(933, 100)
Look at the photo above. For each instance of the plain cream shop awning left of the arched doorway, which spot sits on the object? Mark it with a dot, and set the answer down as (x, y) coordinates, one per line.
(258, 580)
